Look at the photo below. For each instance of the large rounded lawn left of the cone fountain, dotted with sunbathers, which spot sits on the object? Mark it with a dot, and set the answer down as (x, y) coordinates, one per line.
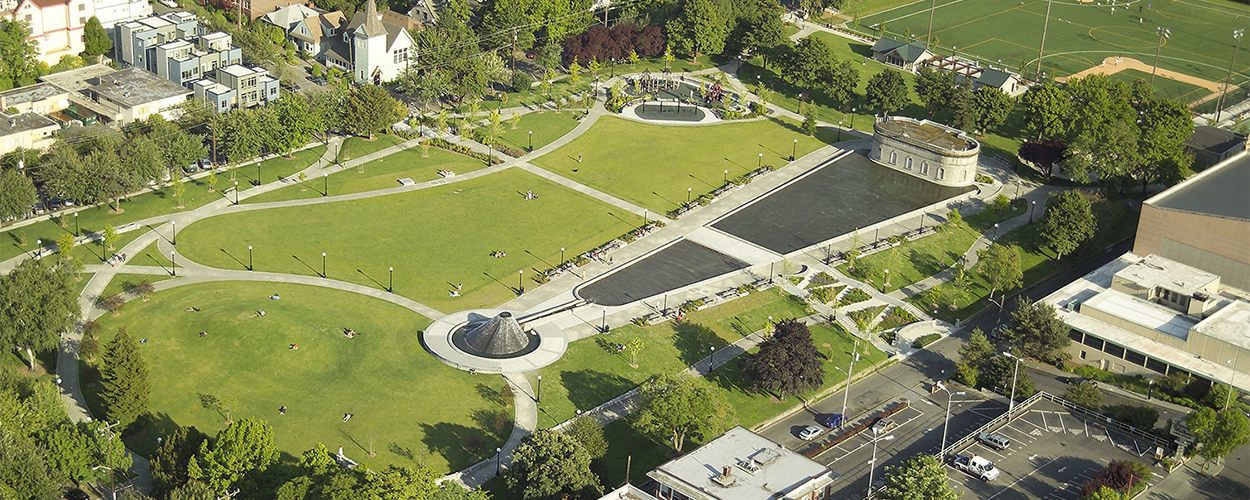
(399, 394)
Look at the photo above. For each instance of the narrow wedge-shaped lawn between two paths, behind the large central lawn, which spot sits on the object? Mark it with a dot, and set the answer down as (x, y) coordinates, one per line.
(379, 174)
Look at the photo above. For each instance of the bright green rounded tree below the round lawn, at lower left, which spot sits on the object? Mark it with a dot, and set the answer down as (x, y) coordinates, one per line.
(241, 448)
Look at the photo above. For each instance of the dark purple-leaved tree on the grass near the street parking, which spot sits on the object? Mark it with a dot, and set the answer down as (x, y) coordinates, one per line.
(788, 363)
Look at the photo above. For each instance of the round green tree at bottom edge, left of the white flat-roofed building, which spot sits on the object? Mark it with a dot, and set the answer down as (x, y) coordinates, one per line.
(552, 466)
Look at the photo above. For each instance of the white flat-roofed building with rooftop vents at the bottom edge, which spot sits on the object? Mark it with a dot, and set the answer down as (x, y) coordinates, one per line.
(742, 466)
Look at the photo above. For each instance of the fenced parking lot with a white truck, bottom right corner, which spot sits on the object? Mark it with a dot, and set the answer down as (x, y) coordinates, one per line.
(1052, 454)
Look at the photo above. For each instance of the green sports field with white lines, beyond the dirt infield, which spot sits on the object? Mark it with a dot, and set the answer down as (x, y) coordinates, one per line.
(1079, 36)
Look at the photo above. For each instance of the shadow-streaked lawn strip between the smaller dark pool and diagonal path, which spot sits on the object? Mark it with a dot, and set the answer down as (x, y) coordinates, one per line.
(593, 372)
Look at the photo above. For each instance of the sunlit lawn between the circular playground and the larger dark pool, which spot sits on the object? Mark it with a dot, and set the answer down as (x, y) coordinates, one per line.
(654, 166)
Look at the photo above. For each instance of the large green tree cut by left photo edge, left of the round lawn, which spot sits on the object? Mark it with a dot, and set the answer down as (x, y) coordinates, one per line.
(38, 302)
